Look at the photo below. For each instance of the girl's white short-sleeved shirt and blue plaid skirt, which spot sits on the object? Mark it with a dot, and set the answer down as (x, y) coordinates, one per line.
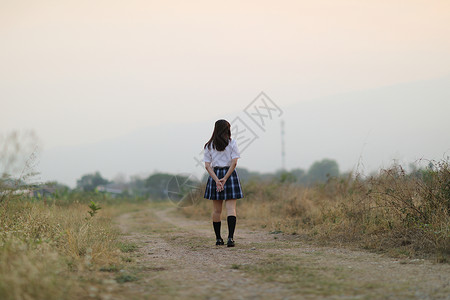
(221, 161)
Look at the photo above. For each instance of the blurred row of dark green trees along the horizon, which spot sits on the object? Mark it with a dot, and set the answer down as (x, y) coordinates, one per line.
(157, 185)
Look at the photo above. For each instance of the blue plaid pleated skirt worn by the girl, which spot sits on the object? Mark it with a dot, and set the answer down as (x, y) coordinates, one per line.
(231, 190)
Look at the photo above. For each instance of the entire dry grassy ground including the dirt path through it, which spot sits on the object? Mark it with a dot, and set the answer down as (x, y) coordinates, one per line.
(384, 237)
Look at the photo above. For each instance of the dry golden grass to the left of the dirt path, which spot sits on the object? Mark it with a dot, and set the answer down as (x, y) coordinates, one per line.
(52, 252)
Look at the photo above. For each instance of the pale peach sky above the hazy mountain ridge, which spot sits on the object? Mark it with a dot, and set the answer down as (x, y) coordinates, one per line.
(79, 72)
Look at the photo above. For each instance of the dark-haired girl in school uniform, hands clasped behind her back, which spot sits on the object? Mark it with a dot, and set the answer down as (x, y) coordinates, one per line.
(220, 157)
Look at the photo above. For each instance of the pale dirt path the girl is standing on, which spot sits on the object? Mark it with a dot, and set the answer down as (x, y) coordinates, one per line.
(176, 258)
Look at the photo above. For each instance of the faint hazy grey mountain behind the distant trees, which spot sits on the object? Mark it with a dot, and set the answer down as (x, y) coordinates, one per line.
(371, 127)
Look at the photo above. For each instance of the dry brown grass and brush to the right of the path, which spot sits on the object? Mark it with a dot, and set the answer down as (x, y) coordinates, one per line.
(403, 214)
